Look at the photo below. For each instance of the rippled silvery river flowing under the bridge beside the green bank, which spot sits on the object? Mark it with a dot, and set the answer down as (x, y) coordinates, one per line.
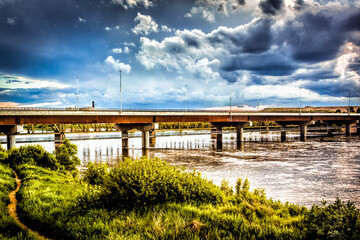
(299, 172)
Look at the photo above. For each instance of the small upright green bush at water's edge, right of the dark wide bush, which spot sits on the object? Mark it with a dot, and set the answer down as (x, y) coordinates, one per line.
(66, 155)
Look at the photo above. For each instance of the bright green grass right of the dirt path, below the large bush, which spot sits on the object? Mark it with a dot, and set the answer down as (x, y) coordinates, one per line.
(53, 203)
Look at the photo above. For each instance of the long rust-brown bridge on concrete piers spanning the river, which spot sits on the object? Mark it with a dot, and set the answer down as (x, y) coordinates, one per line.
(12, 120)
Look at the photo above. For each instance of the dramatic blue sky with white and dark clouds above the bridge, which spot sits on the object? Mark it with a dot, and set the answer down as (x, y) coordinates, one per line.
(179, 54)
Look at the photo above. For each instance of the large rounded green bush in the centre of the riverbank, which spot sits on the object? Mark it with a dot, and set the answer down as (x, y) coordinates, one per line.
(146, 182)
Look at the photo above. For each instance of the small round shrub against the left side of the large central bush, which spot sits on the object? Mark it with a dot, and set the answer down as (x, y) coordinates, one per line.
(96, 173)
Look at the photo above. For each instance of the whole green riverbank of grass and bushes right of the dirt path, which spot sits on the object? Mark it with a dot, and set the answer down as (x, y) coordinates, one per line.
(149, 199)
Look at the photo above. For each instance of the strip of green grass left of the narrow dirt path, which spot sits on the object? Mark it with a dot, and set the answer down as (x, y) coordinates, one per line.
(9, 229)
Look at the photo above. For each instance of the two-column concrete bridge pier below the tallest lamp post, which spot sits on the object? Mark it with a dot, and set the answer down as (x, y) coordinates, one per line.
(143, 127)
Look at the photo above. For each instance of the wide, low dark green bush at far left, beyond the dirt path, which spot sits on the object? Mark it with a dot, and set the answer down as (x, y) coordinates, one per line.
(32, 154)
